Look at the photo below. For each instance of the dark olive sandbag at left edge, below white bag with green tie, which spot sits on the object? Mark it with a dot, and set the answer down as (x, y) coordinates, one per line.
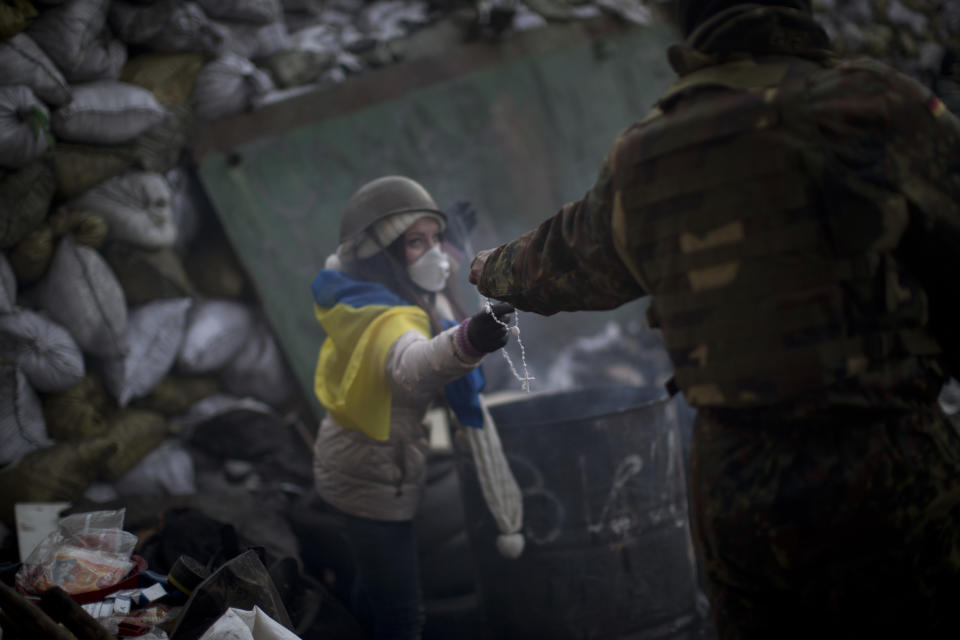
(25, 196)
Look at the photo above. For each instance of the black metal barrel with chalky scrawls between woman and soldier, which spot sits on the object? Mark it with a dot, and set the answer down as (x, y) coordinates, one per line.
(608, 552)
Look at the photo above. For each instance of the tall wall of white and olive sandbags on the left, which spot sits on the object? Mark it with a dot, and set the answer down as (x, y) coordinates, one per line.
(99, 319)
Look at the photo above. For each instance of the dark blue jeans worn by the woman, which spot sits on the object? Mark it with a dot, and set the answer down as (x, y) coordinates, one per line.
(386, 593)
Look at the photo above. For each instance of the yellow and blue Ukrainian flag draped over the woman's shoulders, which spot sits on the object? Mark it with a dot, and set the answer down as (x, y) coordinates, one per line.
(362, 320)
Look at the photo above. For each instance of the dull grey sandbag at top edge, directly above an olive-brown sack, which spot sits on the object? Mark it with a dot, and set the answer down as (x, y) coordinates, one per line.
(166, 26)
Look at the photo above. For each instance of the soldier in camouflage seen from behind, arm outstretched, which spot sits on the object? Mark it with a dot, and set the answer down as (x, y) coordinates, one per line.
(796, 222)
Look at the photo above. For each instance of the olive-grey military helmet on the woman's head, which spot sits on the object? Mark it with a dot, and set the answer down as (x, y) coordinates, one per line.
(384, 197)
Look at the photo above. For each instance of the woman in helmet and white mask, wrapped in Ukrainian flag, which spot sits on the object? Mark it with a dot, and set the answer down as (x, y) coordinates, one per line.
(393, 348)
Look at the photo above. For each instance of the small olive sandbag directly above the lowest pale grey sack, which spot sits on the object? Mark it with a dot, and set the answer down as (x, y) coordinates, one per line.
(136, 433)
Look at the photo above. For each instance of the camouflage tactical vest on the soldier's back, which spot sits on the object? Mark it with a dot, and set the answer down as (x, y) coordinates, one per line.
(772, 270)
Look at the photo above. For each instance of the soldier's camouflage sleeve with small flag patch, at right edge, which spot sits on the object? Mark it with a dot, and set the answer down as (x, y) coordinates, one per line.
(923, 152)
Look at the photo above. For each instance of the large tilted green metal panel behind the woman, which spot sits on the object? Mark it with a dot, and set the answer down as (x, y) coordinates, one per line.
(518, 130)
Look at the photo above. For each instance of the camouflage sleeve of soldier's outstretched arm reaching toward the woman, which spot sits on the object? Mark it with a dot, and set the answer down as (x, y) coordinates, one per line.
(568, 263)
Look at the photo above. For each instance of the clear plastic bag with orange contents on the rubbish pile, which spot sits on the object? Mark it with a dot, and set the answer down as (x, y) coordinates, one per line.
(87, 552)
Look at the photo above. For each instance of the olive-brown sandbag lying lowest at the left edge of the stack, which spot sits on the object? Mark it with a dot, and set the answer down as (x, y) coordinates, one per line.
(60, 473)
